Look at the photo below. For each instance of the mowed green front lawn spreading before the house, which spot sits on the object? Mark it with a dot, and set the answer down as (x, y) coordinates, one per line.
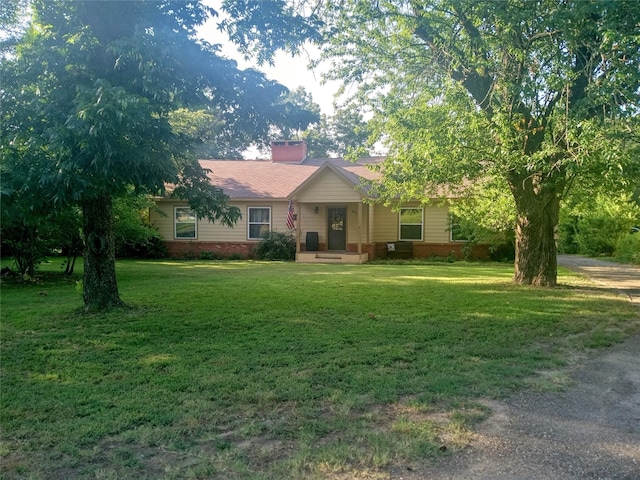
(255, 370)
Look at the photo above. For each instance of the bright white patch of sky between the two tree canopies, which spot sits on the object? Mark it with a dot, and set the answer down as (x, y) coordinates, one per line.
(290, 72)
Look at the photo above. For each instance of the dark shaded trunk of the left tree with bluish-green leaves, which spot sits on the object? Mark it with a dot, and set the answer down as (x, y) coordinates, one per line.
(100, 289)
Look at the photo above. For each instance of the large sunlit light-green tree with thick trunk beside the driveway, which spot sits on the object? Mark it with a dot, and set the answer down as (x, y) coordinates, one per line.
(536, 94)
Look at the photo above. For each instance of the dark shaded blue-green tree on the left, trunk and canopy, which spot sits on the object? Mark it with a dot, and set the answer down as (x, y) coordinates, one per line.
(87, 93)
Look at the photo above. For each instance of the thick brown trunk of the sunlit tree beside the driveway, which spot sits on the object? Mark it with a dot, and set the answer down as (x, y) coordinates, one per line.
(538, 209)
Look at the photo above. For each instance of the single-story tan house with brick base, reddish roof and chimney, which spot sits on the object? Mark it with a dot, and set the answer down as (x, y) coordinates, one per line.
(333, 217)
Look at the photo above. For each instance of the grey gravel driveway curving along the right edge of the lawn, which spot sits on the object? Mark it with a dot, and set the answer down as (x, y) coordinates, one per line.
(589, 431)
